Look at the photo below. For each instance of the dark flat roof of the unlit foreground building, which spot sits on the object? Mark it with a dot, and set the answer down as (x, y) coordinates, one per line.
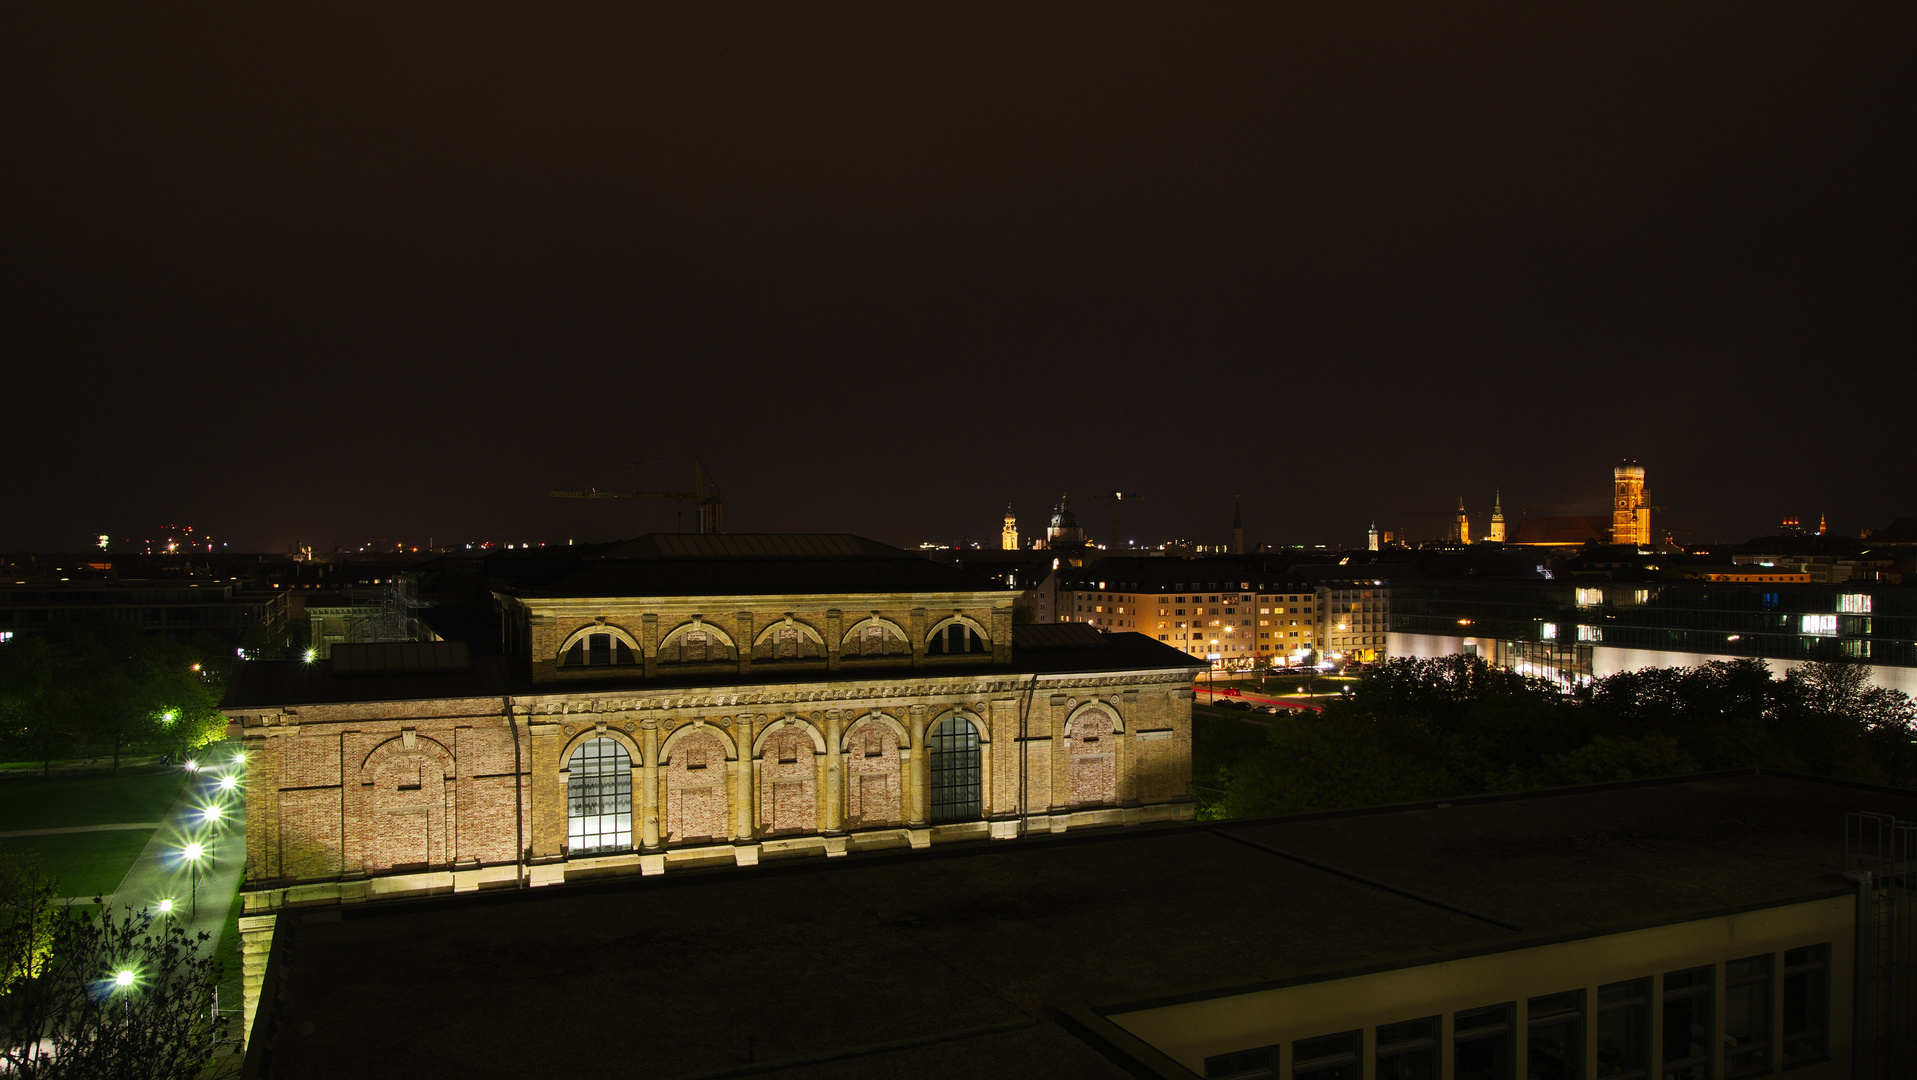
(961, 956)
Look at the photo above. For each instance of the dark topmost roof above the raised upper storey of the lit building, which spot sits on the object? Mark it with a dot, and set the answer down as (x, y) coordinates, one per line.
(741, 565)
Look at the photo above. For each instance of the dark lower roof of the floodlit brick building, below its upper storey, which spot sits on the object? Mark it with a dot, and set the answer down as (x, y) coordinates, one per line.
(1036, 651)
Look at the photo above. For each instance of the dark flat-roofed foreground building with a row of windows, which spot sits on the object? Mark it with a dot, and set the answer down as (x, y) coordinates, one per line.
(1688, 927)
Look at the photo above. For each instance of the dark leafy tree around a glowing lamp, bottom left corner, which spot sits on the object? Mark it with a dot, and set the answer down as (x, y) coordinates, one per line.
(120, 997)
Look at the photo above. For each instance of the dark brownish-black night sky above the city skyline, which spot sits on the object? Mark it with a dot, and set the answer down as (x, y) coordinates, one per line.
(308, 277)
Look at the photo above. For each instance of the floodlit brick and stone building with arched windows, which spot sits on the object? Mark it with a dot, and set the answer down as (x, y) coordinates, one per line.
(683, 701)
